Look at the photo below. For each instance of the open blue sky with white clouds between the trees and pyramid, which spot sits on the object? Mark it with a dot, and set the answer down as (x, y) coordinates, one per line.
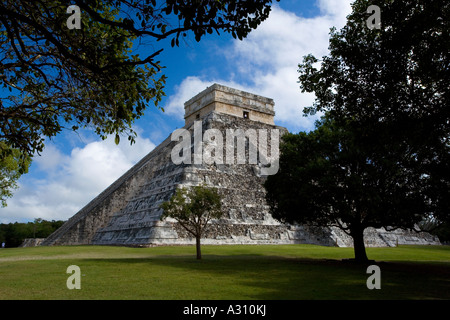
(76, 167)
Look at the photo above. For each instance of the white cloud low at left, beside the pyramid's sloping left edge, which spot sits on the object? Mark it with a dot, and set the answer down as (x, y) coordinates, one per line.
(71, 181)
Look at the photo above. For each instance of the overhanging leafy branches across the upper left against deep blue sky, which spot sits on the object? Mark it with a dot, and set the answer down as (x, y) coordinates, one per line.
(60, 77)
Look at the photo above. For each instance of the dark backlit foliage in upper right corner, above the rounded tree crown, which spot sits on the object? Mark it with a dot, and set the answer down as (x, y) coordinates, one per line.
(393, 82)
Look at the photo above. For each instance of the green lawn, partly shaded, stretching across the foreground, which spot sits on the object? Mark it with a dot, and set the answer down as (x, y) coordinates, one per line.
(225, 272)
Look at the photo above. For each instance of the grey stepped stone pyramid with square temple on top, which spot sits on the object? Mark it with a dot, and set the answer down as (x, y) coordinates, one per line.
(128, 212)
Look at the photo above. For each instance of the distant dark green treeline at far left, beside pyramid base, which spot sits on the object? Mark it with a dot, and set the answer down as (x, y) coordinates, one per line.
(13, 234)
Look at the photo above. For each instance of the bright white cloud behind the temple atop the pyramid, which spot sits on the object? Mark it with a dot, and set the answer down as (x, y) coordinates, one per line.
(266, 62)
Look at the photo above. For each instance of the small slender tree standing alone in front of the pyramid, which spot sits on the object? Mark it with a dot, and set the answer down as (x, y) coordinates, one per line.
(193, 209)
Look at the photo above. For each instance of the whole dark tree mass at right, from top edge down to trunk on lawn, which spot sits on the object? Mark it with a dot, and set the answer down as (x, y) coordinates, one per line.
(381, 155)
